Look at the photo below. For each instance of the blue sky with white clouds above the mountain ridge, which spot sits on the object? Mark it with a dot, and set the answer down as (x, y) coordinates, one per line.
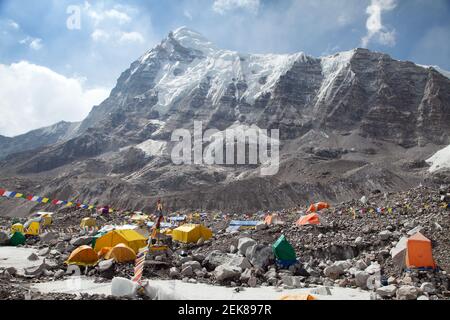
(36, 44)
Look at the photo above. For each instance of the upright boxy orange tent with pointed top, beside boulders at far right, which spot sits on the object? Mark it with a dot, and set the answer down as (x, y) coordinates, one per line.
(419, 253)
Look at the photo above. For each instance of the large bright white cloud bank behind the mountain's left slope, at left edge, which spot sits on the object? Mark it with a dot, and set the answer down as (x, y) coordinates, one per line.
(33, 96)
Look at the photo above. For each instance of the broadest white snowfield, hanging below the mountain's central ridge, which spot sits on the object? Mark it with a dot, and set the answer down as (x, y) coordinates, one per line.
(222, 68)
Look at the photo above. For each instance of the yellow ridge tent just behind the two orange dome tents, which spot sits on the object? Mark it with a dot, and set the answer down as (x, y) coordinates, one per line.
(129, 237)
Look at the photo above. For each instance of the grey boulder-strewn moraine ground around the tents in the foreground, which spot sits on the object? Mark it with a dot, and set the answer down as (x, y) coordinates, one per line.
(351, 249)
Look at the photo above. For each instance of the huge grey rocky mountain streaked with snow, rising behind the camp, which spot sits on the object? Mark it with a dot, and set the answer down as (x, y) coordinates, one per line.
(350, 124)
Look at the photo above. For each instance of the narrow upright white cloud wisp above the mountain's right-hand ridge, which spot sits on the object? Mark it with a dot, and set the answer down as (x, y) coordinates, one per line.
(375, 28)
